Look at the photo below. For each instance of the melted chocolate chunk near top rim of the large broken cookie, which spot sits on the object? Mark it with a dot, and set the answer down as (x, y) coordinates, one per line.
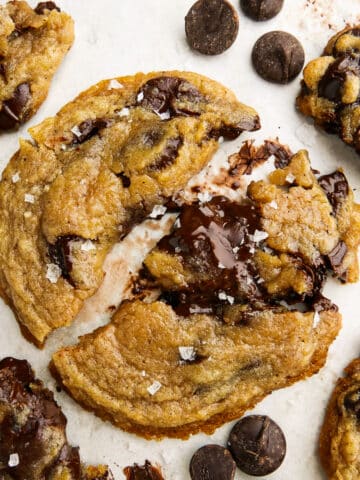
(171, 95)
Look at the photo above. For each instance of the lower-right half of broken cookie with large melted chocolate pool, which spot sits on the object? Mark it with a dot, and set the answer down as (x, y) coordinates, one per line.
(240, 312)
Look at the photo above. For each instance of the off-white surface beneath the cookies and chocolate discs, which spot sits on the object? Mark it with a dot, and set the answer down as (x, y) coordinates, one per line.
(120, 37)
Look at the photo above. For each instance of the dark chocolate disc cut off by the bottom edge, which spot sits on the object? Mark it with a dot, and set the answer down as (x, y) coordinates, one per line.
(212, 462)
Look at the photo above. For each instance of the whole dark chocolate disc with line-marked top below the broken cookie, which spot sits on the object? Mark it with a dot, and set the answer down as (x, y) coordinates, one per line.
(257, 444)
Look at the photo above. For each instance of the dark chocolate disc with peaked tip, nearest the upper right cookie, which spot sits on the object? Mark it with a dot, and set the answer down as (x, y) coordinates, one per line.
(278, 57)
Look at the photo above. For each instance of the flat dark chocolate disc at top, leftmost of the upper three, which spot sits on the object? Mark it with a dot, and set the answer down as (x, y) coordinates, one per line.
(211, 26)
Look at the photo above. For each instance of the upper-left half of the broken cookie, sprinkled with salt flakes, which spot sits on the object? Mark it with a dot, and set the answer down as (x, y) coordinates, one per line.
(91, 173)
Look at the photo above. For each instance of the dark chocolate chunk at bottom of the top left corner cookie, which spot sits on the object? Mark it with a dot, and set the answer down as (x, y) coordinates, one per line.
(12, 112)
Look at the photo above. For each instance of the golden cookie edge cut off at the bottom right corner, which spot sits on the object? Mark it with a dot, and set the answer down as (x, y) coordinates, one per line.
(339, 444)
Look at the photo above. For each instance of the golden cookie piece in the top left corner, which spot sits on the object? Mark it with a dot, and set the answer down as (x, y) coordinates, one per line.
(33, 43)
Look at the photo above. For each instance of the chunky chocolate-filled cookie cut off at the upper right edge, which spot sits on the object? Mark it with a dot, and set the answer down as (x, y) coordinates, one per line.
(331, 87)
